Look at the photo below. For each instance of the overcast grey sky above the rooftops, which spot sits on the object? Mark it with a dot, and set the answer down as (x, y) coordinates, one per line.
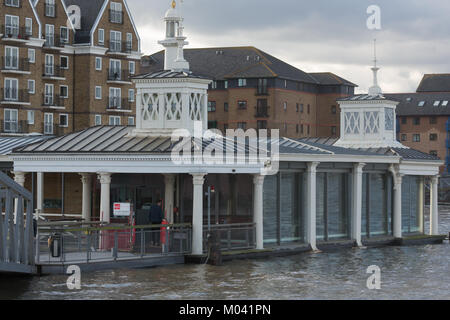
(319, 35)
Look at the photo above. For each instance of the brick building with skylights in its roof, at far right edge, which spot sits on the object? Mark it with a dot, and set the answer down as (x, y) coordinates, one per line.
(423, 117)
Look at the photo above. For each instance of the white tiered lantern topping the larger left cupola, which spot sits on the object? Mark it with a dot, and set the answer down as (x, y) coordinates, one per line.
(174, 41)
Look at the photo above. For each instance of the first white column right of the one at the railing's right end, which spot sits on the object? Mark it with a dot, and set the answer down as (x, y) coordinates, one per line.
(311, 206)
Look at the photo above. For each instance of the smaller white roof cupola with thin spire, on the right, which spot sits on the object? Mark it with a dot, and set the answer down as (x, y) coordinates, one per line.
(368, 120)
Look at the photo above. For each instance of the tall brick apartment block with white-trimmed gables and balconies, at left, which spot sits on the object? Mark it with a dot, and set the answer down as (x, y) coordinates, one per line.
(66, 65)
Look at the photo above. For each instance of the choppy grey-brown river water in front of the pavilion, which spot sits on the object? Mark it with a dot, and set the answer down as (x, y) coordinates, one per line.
(419, 272)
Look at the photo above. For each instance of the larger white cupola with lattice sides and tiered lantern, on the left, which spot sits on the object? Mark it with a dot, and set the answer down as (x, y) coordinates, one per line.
(173, 98)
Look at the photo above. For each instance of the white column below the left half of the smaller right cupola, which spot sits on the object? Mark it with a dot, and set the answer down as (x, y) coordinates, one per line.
(357, 202)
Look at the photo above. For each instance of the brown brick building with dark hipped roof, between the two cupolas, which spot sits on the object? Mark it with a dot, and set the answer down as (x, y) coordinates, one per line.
(252, 89)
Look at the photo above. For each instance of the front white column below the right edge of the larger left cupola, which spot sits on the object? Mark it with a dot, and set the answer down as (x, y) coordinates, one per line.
(197, 214)
